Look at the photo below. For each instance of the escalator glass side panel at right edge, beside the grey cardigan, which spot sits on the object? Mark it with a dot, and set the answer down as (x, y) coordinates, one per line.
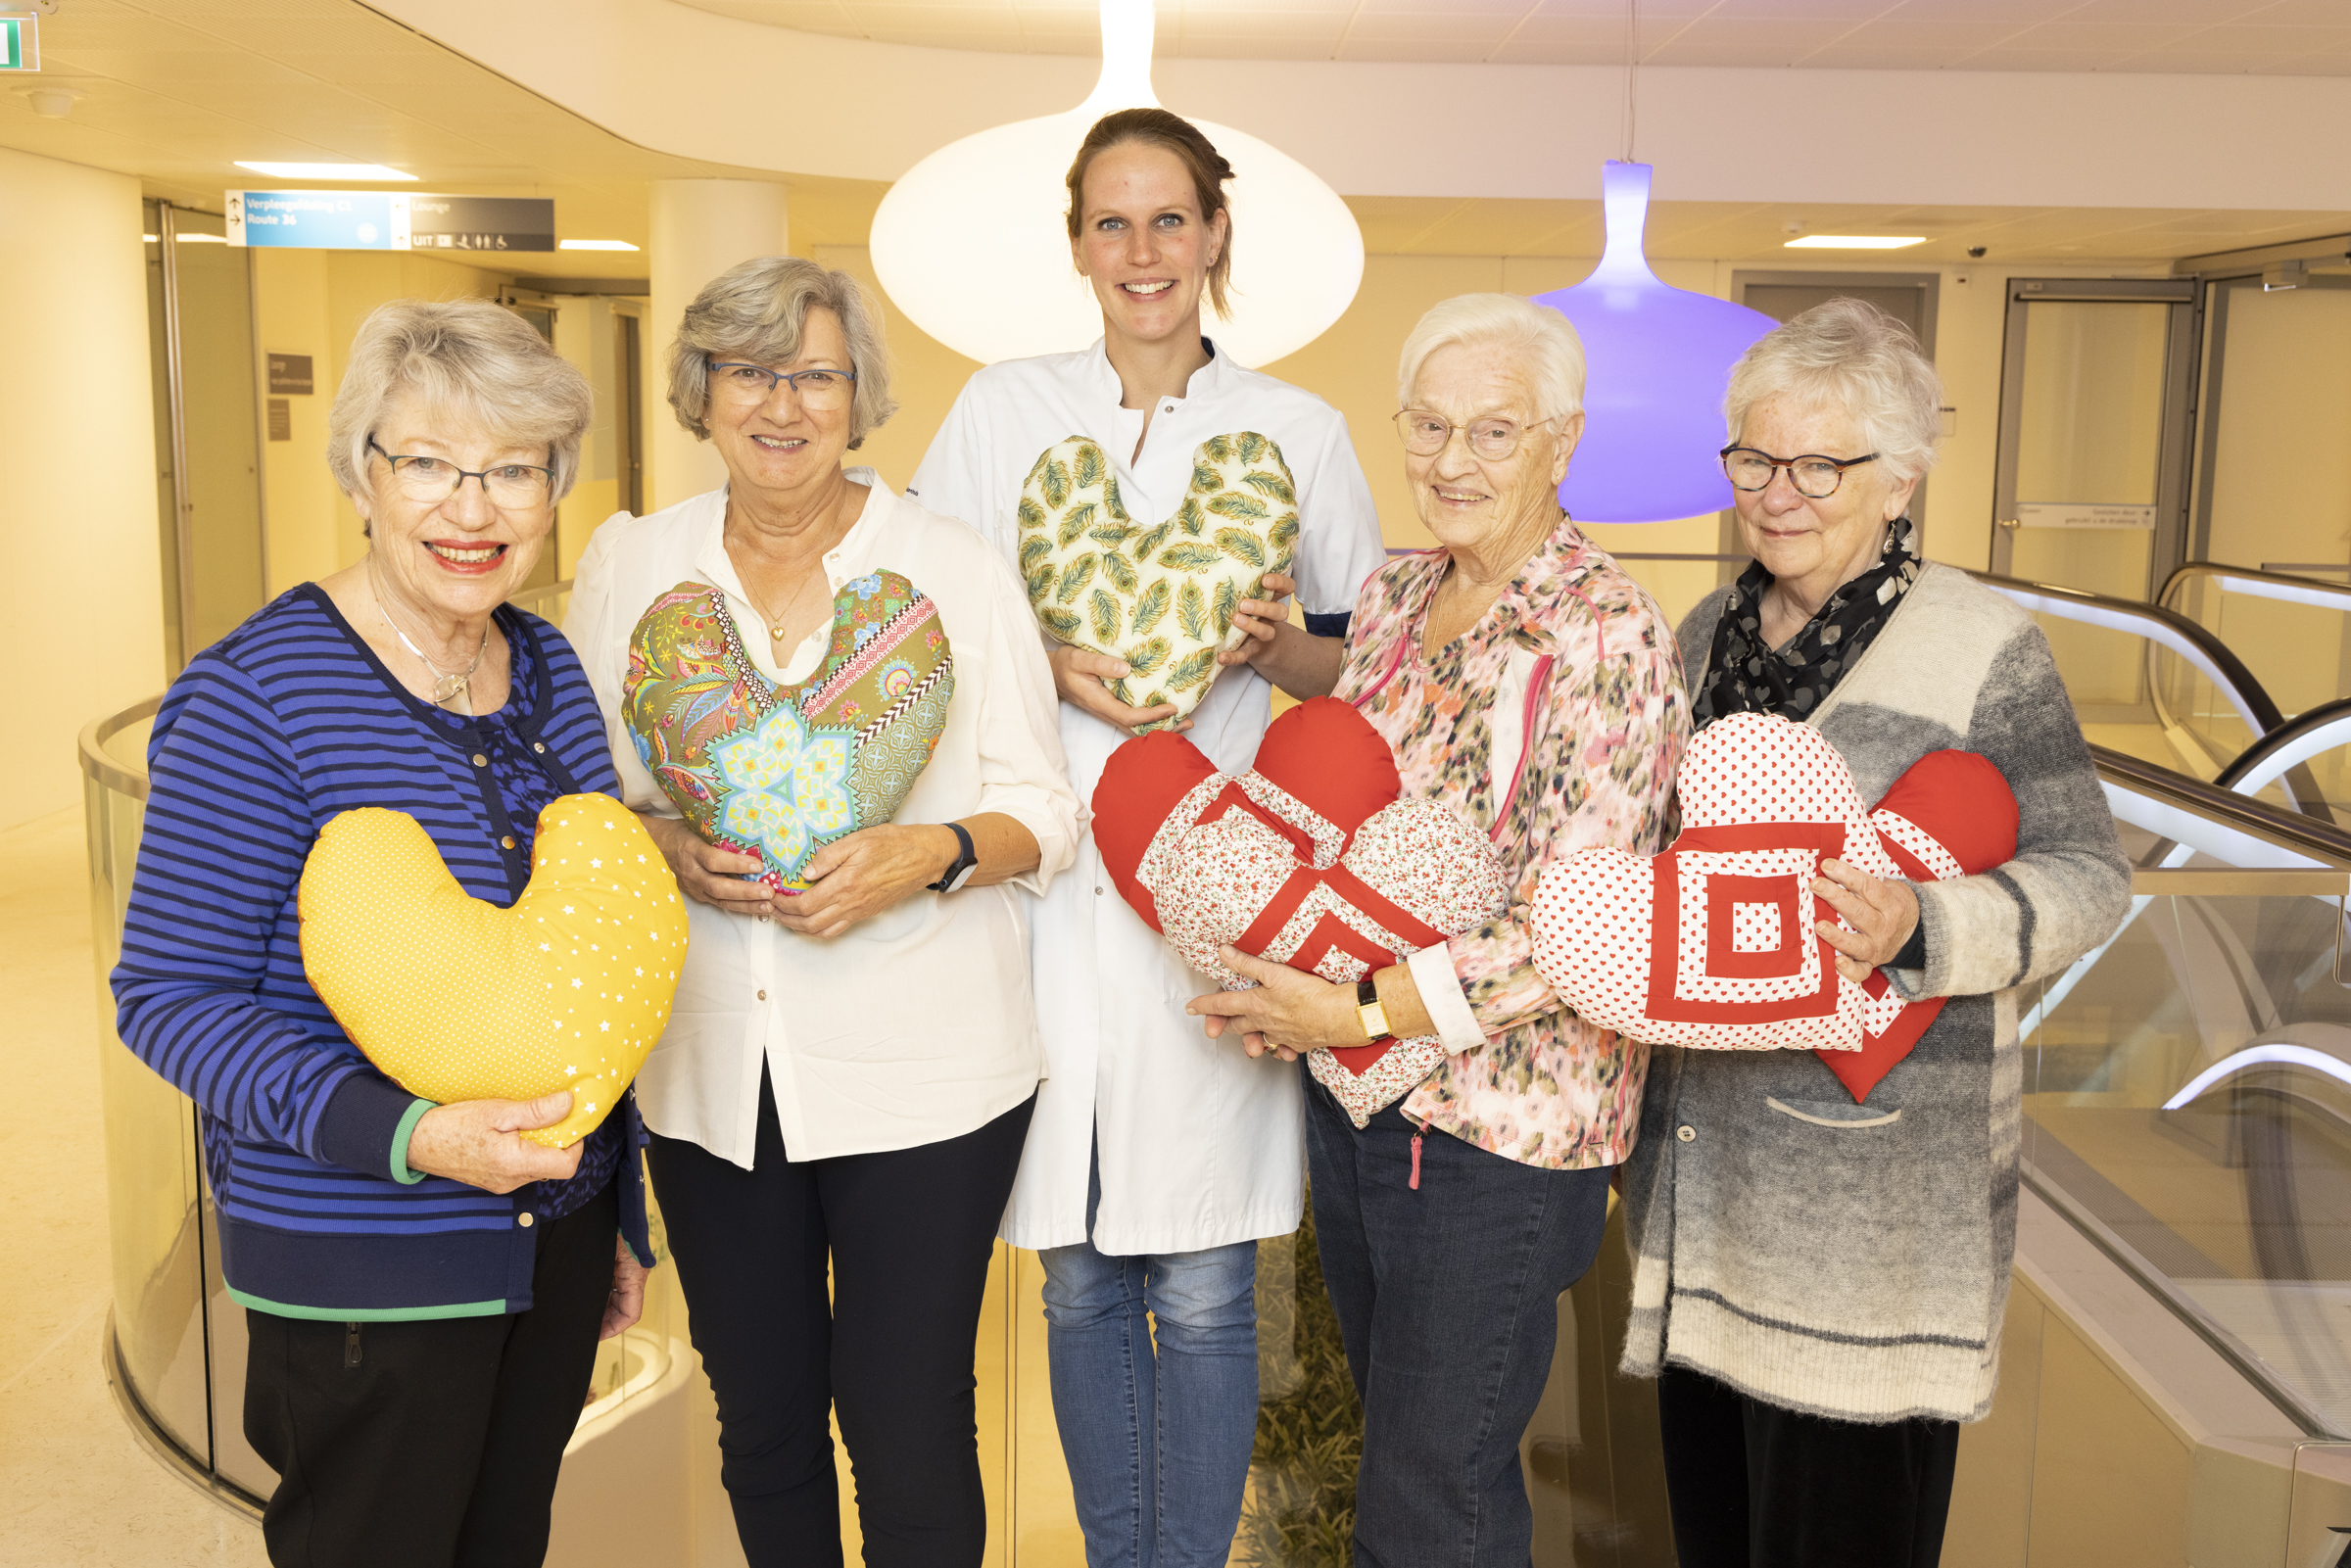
(2188, 1087)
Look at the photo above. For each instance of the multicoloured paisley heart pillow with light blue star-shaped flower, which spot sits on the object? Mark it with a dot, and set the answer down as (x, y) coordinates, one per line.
(779, 772)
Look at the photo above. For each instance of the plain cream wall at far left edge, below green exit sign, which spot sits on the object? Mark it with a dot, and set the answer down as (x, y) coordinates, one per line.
(83, 589)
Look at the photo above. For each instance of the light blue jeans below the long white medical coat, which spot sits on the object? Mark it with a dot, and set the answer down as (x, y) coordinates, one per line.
(1158, 1445)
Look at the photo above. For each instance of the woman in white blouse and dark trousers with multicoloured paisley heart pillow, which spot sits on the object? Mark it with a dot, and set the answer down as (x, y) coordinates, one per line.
(840, 1099)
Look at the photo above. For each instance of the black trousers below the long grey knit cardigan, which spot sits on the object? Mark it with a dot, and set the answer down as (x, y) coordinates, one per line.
(1760, 1487)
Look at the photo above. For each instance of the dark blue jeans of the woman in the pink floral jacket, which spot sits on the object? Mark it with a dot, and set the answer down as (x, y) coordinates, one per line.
(1447, 1299)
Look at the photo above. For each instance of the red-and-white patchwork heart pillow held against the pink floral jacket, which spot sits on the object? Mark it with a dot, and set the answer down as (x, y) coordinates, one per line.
(1311, 859)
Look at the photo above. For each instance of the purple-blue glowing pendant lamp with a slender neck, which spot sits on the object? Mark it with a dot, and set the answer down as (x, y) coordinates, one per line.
(1659, 361)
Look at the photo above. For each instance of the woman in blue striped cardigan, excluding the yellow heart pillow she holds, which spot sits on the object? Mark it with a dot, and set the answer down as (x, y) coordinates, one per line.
(424, 1289)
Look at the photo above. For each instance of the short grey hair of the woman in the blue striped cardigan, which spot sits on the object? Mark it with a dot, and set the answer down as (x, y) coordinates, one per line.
(469, 359)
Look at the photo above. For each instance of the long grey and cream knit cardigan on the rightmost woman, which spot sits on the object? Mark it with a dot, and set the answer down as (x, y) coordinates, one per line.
(1854, 1259)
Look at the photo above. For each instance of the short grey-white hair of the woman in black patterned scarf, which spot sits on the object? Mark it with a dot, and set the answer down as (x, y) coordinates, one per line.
(1849, 356)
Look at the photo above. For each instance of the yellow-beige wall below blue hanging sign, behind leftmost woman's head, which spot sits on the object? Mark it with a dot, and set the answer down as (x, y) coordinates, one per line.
(312, 304)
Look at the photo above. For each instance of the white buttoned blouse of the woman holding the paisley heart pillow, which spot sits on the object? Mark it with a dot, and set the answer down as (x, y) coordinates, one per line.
(918, 1024)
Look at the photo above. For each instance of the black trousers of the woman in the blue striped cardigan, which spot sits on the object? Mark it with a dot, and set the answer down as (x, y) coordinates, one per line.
(436, 1442)
